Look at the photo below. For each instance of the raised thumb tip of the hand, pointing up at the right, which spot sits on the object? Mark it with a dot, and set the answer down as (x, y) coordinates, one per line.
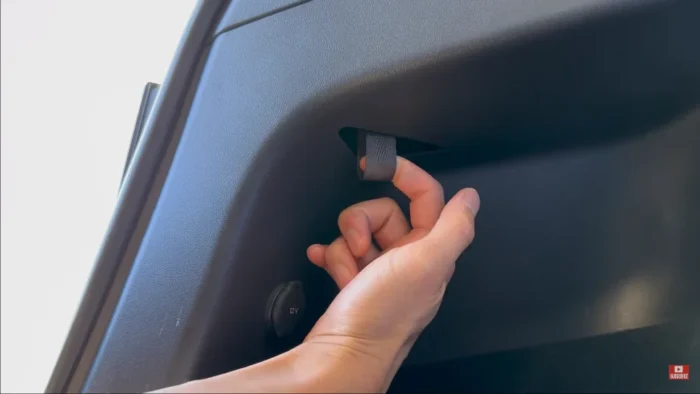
(454, 230)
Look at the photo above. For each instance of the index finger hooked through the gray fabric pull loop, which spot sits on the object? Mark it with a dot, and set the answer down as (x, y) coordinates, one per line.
(424, 192)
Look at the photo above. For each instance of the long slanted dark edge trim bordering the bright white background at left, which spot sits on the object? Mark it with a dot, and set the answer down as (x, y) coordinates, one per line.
(137, 185)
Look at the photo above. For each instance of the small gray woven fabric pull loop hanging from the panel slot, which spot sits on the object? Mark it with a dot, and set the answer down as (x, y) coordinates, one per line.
(380, 153)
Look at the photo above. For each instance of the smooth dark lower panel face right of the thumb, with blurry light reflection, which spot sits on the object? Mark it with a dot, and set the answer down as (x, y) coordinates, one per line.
(572, 244)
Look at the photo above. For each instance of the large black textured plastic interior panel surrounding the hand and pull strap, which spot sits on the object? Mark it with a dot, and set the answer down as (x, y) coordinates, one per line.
(260, 173)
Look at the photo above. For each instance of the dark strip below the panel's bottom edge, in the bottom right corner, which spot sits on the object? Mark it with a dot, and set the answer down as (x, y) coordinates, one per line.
(584, 366)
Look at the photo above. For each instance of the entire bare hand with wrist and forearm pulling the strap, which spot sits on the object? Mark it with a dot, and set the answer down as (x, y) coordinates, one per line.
(388, 295)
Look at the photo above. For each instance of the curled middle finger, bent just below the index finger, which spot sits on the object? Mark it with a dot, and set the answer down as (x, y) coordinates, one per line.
(381, 218)
